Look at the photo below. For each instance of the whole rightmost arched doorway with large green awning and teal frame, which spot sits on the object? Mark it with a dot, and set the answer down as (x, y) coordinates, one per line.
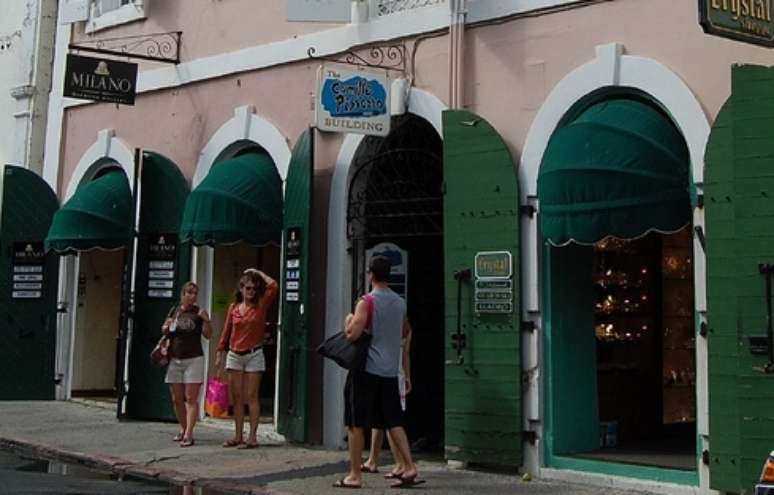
(615, 204)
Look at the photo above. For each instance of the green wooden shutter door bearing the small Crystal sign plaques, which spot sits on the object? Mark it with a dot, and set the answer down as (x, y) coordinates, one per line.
(481, 213)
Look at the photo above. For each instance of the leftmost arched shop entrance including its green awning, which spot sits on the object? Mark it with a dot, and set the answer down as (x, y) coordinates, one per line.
(96, 225)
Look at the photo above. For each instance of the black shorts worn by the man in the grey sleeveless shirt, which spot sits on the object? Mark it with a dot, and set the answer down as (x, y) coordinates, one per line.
(372, 401)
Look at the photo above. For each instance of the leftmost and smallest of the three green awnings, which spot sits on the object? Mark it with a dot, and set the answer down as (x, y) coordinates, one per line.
(98, 215)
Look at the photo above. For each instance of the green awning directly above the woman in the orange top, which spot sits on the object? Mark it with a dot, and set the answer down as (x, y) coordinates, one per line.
(239, 200)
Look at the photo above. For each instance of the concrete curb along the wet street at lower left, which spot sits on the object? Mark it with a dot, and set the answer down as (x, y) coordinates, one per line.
(127, 467)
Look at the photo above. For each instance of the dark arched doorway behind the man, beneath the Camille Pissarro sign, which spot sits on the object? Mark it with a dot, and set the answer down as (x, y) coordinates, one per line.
(395, 207)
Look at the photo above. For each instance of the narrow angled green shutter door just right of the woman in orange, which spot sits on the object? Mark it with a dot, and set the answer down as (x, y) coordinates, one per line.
(294, 337)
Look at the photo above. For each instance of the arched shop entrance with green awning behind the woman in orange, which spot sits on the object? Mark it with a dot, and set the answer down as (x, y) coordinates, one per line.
(235, 212)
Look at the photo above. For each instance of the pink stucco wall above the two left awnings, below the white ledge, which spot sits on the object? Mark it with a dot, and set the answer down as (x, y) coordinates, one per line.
(178, 123)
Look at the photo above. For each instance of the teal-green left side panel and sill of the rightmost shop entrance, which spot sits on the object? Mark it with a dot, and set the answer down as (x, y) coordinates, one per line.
(569, 353)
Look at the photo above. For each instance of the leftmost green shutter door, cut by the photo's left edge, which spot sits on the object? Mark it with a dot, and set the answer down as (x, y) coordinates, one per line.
(27, 326)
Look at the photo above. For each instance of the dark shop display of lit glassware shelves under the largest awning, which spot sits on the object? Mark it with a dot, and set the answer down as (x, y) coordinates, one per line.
(645, 337)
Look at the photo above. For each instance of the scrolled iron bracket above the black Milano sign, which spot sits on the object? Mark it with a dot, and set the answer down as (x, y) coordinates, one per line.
(156, 47)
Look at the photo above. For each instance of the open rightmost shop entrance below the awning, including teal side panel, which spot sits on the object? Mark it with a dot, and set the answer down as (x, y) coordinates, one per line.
(633, 322)
